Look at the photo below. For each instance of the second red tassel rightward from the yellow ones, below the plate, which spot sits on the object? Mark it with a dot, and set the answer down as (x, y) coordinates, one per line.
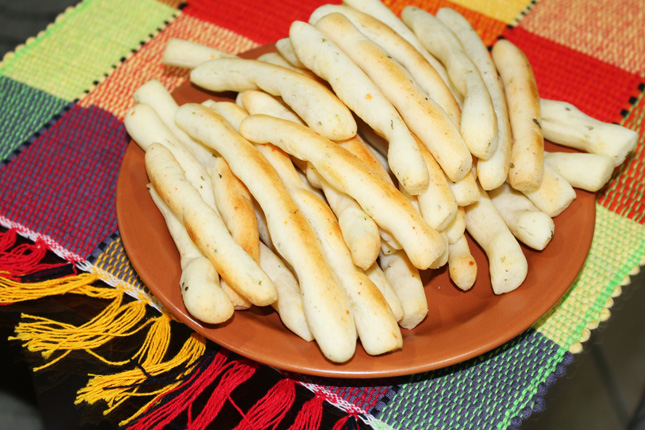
(238, 373)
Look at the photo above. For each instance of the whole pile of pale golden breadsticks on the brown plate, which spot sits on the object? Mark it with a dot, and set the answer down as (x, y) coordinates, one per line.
(358, 154)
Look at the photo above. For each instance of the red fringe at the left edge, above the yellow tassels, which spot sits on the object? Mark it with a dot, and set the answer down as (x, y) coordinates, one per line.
(24, 259)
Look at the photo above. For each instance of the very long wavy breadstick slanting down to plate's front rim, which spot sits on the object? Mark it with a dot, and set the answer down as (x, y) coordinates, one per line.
(325, 303)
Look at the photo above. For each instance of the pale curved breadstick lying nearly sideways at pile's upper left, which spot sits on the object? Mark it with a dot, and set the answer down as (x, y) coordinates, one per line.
(313, 102)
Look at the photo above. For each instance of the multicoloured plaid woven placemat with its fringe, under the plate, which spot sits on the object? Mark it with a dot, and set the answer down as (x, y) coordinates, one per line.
(63, 96)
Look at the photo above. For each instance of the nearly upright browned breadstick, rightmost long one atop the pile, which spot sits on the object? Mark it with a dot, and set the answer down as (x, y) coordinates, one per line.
(527, 152)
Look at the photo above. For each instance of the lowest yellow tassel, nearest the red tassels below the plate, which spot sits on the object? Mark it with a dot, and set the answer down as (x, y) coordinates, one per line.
(114, 389)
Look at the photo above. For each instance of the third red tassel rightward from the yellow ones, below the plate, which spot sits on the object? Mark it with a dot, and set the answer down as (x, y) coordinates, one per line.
(271, 409)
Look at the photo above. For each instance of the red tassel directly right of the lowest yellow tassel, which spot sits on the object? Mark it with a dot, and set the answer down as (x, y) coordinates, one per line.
(184, 396)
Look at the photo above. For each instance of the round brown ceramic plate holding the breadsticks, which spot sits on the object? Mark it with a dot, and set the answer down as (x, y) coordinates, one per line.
(460, 325)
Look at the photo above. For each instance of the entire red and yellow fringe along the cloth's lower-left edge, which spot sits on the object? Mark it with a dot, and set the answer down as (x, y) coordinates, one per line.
(172, 385)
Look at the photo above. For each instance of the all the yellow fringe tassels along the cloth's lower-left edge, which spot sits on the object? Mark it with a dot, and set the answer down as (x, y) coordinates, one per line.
(48, 337)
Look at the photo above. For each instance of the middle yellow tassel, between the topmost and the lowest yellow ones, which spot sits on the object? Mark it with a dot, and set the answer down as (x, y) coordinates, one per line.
(47, 336)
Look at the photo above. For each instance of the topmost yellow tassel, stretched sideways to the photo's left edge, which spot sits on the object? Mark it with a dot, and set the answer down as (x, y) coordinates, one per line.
(14, 292)
